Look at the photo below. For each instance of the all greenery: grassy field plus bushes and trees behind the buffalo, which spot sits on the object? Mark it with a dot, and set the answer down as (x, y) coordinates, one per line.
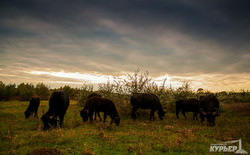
(183, 136)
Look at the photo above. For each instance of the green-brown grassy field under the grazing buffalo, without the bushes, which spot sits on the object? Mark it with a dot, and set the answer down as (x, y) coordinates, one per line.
(21, 136)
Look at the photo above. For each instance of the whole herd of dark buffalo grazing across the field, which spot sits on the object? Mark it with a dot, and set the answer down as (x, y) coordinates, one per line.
(207, 107)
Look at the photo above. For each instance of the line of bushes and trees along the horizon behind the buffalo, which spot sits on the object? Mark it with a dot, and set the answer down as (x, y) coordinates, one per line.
(119, 90)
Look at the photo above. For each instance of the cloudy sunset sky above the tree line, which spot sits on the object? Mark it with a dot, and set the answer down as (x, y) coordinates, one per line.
(62, 42)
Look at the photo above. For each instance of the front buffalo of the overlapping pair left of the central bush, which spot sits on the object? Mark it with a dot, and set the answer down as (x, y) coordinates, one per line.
(98, 104)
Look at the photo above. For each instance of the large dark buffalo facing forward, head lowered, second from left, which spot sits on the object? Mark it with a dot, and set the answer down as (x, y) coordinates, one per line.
(58, 105)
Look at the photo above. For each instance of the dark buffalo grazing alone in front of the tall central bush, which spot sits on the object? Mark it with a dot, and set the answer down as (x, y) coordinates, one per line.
(146, 101)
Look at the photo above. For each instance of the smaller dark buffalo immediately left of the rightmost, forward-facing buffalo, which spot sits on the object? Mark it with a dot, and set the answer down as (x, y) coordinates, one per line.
(187, 105)
